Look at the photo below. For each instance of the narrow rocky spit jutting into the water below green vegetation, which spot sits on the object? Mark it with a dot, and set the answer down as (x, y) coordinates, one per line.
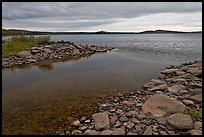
(51, 50)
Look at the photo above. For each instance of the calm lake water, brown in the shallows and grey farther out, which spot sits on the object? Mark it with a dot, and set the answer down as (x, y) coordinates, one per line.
(37, 99)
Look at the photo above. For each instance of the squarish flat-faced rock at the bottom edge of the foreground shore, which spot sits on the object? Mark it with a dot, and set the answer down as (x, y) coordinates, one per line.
(101, 120)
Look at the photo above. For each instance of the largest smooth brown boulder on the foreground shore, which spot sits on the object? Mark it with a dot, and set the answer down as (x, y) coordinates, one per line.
(160, 105)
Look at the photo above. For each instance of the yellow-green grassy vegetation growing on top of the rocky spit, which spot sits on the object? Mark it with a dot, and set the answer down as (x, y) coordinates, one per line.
(17, 44)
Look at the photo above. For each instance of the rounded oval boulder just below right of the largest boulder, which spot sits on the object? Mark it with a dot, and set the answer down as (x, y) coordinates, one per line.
(180, 121)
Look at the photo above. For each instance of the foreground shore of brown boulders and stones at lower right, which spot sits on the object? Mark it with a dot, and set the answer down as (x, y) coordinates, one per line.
(170, 105)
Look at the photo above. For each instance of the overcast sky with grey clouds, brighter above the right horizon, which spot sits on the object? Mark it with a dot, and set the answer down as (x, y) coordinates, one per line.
(108, 16)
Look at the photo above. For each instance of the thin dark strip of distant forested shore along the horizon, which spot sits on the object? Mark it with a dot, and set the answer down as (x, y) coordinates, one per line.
(6, 32)
